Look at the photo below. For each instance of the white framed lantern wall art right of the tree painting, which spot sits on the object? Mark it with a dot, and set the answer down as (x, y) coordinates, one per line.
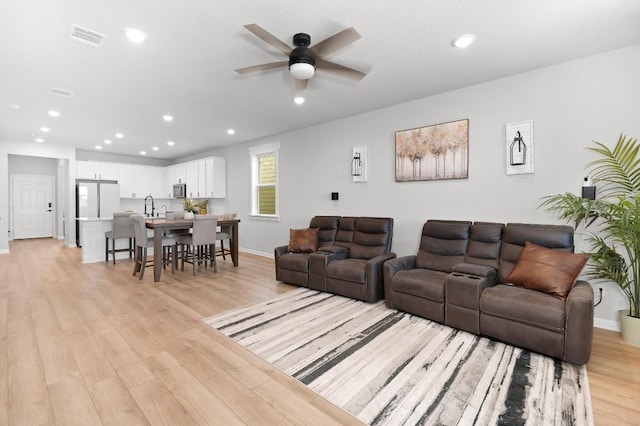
(519, 147)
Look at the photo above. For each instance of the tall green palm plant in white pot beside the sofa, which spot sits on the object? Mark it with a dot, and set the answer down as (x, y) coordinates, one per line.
(612, 223)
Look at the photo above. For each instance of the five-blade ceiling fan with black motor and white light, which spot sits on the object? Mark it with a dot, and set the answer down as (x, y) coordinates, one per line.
(304, 60)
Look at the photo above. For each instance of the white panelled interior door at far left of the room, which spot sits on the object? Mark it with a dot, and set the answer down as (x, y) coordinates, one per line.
(32, 201)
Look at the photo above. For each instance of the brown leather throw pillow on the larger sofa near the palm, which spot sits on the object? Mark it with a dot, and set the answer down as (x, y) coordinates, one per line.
(546, 270)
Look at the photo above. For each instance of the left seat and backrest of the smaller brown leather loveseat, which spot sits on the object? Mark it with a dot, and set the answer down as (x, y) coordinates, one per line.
(293, 268)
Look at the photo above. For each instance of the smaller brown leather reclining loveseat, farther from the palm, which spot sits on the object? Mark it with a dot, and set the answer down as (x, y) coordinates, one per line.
(349, 265)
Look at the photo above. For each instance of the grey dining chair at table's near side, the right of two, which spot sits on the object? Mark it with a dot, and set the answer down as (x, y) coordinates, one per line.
(201, 243)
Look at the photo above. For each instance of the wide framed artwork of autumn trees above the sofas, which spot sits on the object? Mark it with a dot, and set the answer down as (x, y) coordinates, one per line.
(435, 152)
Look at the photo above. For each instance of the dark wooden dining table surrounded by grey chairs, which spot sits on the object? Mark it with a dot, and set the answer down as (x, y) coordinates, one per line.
(161, 226)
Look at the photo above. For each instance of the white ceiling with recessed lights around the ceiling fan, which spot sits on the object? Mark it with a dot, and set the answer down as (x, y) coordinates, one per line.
(186, 66)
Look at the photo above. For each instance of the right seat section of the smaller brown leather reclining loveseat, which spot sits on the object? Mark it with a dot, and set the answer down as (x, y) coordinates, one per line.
(357, 272)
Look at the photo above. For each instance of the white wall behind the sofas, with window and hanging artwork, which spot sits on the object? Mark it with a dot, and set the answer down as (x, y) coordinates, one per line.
(571, 104)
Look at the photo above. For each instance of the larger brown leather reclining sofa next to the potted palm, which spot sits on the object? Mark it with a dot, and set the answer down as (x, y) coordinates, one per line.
(458, 277)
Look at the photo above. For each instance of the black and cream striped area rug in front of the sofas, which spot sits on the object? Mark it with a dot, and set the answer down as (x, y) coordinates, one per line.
(390, 367)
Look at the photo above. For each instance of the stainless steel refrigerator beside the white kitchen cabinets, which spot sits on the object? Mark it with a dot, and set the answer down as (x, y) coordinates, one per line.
(95, 199)
